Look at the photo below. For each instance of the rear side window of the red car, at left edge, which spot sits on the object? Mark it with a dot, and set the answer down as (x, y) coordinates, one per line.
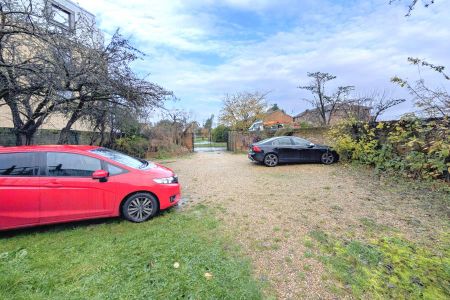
(18, 164)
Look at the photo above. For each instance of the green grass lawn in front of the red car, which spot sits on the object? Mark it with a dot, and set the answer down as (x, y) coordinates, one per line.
(179, 254)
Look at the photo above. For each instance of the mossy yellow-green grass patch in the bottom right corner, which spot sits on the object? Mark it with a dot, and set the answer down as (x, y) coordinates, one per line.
(388, 267)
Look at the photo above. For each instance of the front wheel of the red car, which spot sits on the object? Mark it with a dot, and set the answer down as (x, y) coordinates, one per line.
(140, 207)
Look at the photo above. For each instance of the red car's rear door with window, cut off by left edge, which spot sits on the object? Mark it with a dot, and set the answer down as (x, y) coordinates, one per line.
(19, 189)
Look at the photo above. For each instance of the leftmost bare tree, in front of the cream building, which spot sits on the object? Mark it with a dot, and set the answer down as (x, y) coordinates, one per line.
(36, 61)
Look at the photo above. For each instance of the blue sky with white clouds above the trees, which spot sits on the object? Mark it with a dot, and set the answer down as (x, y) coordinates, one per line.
(202, 50)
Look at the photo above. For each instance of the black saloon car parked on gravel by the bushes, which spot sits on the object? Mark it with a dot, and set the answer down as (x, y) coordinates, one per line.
(286, 149)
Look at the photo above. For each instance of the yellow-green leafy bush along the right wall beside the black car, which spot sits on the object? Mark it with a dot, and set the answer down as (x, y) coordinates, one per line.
(411, 146)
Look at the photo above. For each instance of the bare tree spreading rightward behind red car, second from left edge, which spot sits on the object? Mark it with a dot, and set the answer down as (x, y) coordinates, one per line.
(114, 85)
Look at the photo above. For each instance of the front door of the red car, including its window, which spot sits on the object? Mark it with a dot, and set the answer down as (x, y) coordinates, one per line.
(68, 190)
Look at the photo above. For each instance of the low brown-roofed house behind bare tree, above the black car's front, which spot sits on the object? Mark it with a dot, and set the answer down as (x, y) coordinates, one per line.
(312, 116)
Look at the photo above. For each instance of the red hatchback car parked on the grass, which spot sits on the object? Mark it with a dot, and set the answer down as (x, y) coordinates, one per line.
(54, 184)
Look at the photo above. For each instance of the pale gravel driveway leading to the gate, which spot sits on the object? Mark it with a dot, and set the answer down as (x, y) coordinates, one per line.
(270, 211)
